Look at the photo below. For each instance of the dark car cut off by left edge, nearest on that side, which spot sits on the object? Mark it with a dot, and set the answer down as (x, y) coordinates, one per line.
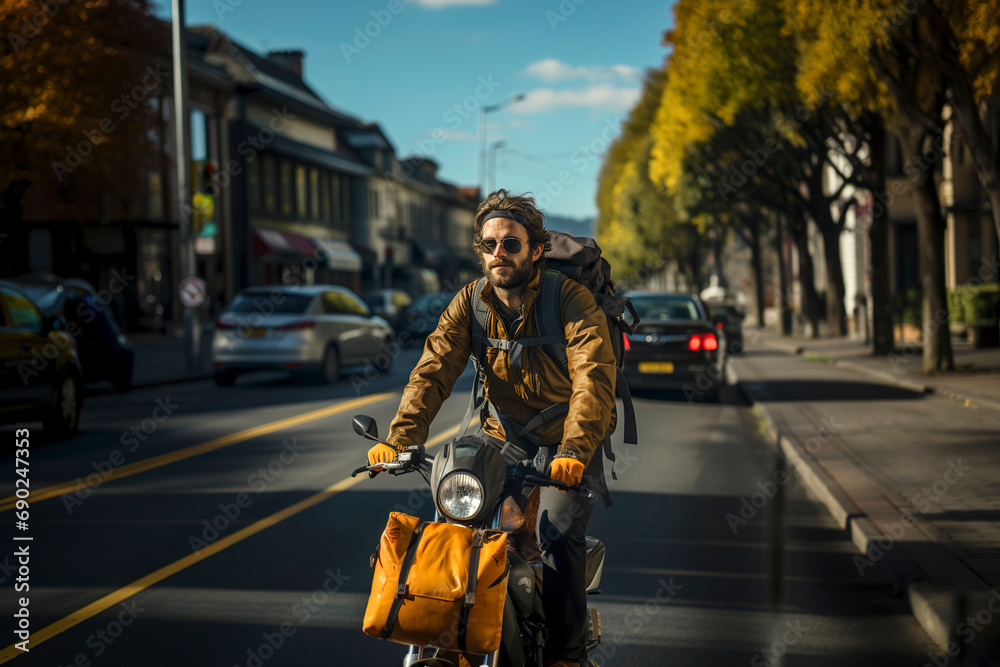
(40, 374)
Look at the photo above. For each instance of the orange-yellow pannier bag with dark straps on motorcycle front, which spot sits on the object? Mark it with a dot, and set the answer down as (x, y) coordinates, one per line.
(438, 584)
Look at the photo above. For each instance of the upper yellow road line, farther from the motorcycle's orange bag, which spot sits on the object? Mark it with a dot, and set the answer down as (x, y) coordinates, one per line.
(193, 450)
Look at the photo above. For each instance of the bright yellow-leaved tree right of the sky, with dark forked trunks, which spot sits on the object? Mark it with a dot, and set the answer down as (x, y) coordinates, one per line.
(731, 68)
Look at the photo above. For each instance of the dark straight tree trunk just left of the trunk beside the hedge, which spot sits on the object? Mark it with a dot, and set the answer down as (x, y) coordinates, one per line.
(878, 236)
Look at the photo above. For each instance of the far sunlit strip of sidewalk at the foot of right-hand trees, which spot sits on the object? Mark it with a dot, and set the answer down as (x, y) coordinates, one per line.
(976, 378)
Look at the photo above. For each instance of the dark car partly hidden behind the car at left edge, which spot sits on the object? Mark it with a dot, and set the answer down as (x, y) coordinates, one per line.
(105, 353)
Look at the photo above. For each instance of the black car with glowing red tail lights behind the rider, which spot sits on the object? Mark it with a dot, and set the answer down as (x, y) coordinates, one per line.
(675, 346)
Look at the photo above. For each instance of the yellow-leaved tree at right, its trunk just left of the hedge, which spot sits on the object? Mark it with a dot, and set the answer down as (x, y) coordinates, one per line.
(865, 52)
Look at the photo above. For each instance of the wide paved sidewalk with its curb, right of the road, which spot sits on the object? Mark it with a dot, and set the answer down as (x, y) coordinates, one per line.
(914, 476)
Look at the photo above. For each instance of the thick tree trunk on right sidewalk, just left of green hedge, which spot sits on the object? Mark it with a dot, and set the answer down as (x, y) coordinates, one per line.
(930, 236)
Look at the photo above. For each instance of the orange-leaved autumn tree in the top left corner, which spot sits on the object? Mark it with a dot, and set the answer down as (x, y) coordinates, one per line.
(70, 124)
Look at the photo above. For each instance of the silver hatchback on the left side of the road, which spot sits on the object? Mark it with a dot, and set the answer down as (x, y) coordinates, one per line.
(310, 330)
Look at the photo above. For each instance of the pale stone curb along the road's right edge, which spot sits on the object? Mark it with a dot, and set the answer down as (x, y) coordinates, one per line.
(934, 610)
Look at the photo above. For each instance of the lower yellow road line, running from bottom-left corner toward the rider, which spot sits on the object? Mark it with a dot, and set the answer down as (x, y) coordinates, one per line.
(139, 585)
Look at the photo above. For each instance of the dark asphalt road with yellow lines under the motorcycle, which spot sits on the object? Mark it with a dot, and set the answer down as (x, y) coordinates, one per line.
(217, 530)
